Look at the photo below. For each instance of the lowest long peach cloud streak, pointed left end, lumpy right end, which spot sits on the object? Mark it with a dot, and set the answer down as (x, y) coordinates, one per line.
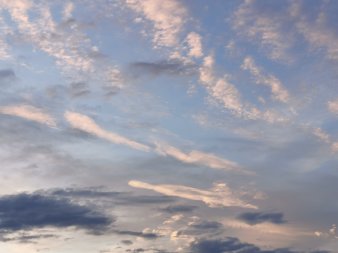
(219, 196)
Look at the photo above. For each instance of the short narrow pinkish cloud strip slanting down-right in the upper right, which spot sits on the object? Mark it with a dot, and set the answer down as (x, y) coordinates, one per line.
(278, 91)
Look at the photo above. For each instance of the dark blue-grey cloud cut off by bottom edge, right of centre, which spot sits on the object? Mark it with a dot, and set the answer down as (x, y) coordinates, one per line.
(231, 245)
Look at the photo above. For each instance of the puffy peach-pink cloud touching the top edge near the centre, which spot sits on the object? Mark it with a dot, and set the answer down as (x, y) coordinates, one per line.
(167, 17)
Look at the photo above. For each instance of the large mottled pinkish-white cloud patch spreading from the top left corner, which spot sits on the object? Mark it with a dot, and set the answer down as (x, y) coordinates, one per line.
(64, 41)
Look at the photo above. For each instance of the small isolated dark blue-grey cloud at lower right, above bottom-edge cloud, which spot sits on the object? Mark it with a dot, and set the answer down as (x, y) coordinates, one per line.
(254, 218)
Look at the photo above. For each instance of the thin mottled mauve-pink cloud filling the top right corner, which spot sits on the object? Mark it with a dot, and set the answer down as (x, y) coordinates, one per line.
(277, 28)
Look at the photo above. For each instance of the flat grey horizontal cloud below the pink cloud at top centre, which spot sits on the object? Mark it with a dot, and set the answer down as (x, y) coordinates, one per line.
(161, 68)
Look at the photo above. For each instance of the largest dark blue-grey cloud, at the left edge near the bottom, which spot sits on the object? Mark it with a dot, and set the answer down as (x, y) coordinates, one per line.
(30, 211)
